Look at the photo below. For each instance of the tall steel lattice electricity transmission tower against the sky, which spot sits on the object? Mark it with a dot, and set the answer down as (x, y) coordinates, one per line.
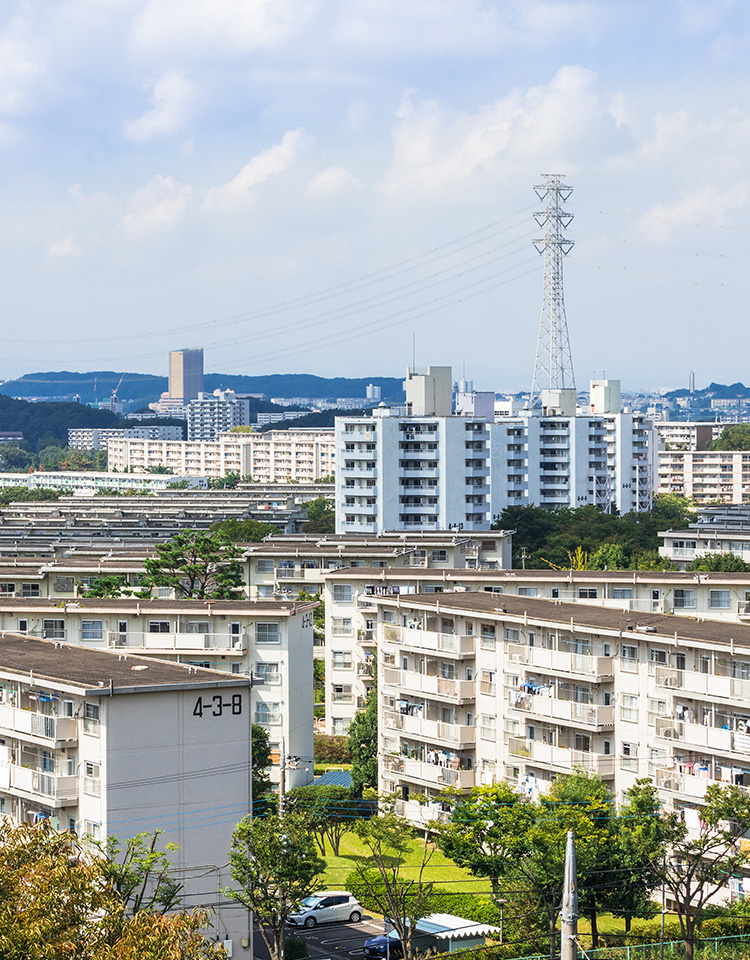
(553, 368)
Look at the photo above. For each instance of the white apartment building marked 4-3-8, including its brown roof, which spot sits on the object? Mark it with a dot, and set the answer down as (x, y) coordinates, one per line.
(111, 744)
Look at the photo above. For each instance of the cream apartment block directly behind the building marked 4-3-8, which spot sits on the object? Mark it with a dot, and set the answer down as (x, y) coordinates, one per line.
(272, 641)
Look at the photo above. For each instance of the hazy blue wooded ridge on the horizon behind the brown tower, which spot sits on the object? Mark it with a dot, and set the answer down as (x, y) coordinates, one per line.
(142, 388)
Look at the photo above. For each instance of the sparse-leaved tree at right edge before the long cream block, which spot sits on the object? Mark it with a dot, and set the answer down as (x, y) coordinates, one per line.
(703, 856)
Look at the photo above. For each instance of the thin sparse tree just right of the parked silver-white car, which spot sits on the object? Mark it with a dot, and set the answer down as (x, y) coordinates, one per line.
(403, 902)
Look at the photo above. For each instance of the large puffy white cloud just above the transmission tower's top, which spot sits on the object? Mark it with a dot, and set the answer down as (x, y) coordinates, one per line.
(550, 123)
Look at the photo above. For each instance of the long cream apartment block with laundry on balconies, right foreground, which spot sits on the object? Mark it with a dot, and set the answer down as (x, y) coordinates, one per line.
(474, 689)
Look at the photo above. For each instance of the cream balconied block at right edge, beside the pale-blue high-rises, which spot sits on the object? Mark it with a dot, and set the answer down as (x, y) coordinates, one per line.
(707, 476)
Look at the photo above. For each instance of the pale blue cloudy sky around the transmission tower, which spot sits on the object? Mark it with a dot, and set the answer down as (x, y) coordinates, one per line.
(343, 187)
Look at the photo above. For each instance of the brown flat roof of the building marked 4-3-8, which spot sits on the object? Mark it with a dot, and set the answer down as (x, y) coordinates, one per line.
(97, 672)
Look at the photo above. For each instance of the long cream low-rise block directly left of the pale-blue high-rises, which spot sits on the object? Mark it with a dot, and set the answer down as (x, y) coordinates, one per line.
(278, 456)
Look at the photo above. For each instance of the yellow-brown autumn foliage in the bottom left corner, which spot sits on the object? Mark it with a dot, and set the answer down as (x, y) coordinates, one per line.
(58, 900)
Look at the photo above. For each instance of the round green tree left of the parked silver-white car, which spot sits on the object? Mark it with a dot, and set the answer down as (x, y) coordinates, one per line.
(275, 864)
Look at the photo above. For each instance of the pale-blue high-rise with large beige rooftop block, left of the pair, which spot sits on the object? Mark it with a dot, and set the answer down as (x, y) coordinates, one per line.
(416, 467)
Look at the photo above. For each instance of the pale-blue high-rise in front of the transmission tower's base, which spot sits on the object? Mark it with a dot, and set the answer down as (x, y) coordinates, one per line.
(560, 457)
